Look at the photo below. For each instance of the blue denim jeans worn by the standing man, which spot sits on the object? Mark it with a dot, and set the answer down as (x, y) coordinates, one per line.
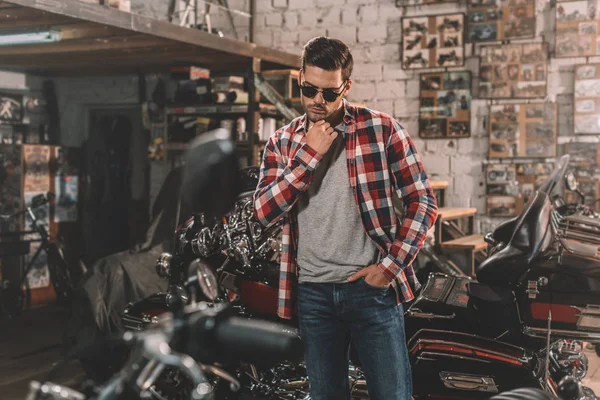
(329, 315)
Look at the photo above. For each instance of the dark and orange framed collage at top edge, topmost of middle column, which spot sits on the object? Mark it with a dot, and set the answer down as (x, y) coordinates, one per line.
(491, 20)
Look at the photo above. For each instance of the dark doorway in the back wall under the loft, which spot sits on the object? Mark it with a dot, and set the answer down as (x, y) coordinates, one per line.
(116, 200)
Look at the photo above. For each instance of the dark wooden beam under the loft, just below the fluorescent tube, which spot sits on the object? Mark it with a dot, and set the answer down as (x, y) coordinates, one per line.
(86, 45)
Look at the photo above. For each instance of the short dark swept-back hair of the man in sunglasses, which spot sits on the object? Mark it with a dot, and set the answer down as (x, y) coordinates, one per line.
(328, 54)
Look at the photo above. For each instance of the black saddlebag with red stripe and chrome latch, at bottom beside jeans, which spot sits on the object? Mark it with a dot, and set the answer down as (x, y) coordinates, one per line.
(465, 366)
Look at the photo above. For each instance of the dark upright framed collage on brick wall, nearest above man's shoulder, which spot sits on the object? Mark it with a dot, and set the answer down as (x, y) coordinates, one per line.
(445, 105)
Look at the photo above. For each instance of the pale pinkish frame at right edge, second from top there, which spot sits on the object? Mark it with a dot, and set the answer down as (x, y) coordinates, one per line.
(587, 99)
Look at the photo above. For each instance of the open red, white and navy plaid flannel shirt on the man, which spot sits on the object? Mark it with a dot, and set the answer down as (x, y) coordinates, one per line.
(381, 160)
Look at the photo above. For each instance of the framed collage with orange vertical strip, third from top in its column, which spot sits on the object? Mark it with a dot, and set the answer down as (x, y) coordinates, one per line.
(523, 130)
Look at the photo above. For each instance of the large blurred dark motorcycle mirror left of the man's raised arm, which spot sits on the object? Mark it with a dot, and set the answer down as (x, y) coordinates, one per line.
(210, 181)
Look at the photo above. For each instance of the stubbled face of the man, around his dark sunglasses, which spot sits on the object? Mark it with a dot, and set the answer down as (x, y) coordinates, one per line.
(317, 108)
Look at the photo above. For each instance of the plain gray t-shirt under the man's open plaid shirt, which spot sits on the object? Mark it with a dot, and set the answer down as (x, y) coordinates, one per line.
(332, 242)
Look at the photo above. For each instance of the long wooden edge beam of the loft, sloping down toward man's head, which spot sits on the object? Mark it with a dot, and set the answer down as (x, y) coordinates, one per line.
(144, 25)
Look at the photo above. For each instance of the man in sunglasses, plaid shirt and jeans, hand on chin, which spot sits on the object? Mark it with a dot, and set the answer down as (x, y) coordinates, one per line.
(330, 175)
